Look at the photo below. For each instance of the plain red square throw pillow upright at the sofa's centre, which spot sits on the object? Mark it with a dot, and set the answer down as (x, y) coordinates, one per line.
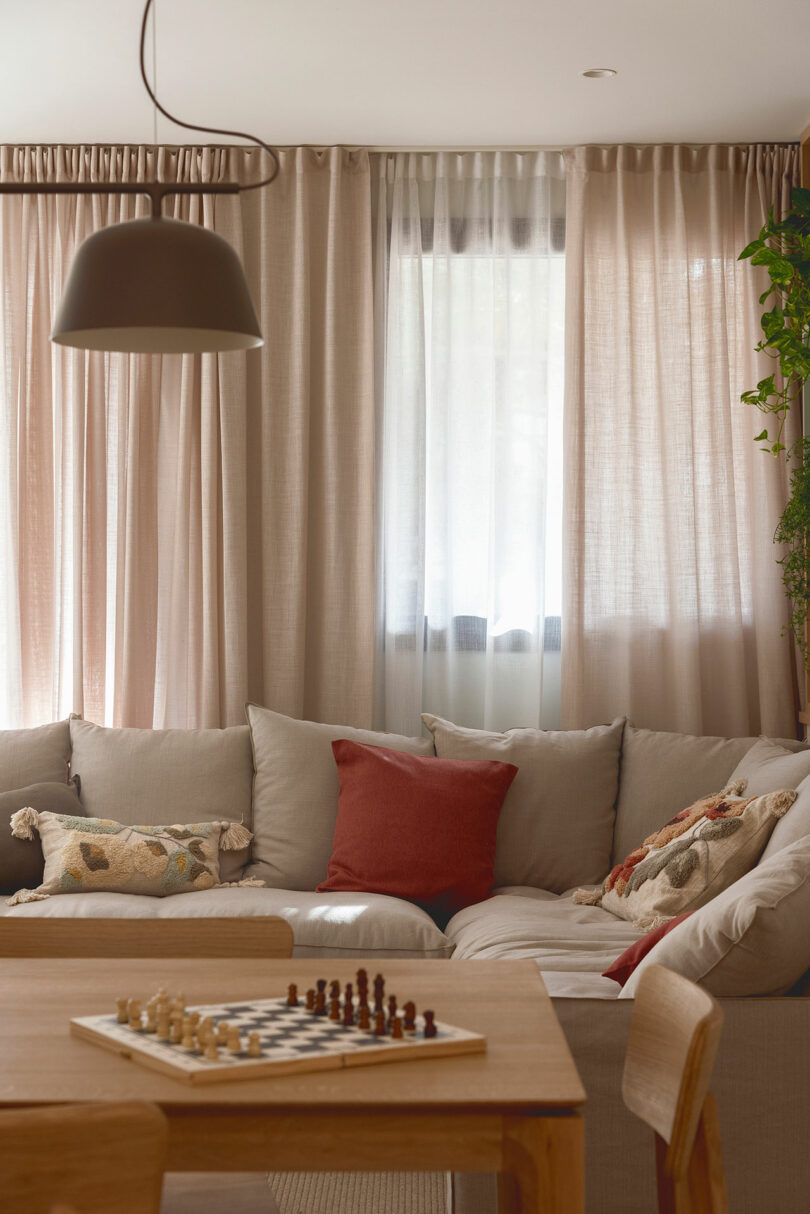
(417, 829)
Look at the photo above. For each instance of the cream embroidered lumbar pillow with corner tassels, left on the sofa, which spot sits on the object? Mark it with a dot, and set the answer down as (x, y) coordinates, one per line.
(95, 855)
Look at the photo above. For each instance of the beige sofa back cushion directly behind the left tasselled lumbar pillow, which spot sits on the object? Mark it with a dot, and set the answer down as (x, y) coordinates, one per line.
(150, 778)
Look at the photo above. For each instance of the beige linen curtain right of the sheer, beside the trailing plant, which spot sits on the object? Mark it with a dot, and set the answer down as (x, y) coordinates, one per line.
(673, 606)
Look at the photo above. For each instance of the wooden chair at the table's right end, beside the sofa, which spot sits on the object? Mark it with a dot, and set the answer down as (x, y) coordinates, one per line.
(671, 1053)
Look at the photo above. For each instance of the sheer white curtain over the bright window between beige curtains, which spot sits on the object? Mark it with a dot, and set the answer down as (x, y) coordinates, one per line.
(469, 297)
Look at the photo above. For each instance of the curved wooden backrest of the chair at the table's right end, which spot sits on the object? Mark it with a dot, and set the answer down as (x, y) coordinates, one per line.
(675, 1037)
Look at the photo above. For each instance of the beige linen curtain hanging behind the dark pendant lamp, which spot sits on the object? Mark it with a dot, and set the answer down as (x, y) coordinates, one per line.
(182, 534)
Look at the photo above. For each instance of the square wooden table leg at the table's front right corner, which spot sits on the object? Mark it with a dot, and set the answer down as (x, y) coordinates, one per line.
(543, 1166)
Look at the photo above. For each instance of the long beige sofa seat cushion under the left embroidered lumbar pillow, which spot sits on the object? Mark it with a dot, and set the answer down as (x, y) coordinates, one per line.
(324, 924)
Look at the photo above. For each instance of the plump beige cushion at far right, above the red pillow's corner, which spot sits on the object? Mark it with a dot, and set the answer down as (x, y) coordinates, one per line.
(752, 939)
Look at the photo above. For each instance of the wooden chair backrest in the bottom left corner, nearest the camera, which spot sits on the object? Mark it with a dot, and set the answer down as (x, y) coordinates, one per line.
(89, 1159)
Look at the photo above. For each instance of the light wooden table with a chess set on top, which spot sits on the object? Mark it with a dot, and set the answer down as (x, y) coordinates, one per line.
(513, 1110)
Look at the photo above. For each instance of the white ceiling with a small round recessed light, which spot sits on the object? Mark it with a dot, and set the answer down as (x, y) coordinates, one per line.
(424, 73)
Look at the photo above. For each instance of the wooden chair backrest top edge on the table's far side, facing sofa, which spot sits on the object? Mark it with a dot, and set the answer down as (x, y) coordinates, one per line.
(264, 937)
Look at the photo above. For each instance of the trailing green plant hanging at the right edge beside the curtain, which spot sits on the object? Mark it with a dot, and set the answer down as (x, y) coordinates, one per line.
(784, 249)
